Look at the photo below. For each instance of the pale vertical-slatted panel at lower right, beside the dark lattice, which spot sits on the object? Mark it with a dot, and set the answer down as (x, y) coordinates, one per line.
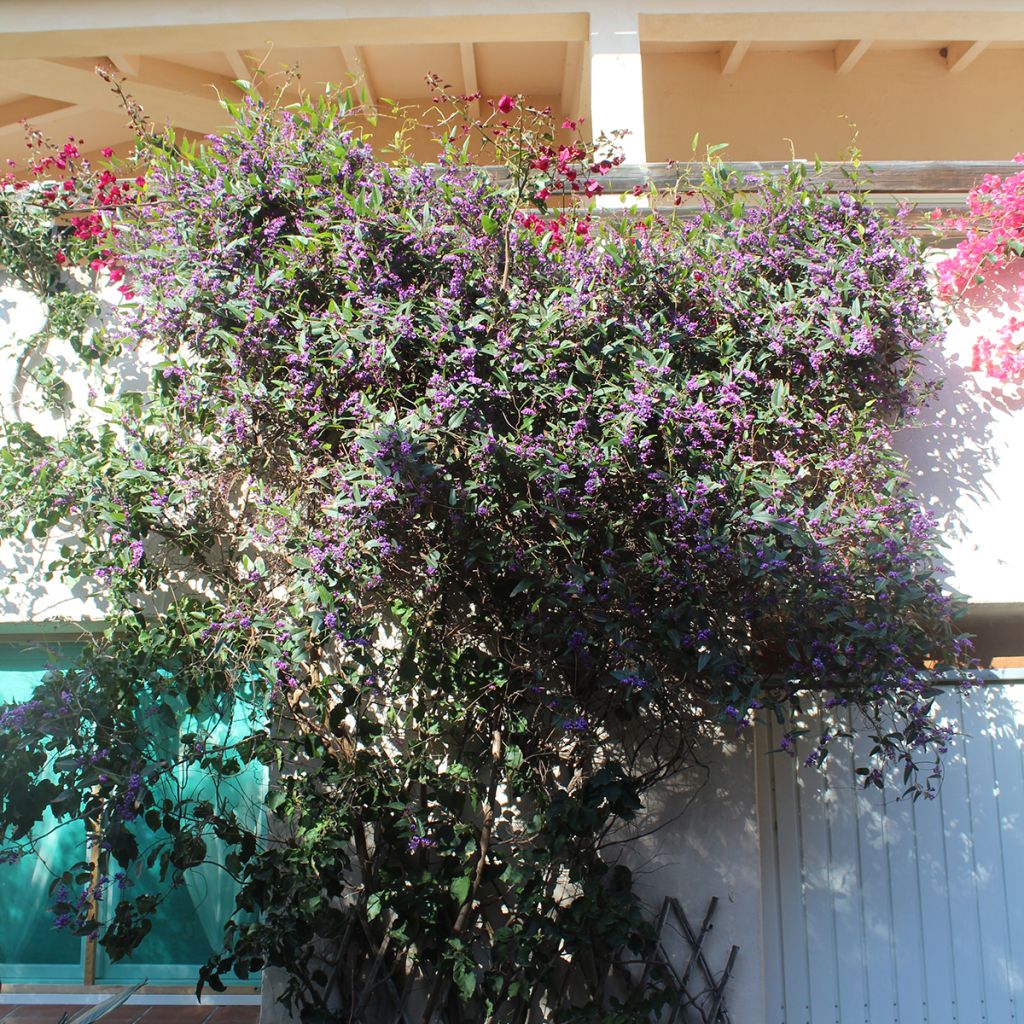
(912, 913)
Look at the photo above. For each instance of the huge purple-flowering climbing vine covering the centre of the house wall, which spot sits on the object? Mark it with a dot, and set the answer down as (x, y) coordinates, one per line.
(491, 516)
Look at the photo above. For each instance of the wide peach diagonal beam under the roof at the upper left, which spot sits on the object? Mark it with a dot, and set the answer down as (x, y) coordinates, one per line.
(75, 86)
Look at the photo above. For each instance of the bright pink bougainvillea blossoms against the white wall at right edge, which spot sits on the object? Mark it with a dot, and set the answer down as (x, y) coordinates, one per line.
(993, 227)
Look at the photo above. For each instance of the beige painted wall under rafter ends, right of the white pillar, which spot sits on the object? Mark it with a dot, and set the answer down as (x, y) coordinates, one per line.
(907, 105)
